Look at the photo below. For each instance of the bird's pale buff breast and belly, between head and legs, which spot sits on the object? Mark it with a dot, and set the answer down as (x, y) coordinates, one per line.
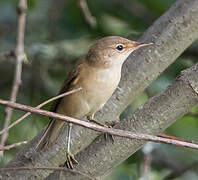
(97, 87)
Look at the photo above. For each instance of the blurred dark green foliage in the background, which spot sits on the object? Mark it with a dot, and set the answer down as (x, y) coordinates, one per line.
(56, 34)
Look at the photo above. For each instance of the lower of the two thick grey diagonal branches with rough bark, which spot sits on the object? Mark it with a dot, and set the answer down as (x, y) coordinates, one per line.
(152, 118)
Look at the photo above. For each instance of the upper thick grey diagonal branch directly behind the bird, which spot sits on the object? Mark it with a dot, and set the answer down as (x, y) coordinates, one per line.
(172, 33)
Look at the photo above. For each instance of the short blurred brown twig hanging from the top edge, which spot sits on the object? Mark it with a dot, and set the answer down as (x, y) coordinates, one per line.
(90, 20)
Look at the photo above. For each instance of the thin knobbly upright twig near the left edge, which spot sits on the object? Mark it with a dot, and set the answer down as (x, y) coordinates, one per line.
(19, 55)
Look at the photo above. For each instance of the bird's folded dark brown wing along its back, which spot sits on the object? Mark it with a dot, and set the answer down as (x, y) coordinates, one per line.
(67, 83)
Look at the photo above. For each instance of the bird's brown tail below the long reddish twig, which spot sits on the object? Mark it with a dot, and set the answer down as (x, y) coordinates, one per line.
(50, 134)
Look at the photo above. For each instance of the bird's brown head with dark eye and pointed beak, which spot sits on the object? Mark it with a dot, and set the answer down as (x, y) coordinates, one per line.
(112, 50)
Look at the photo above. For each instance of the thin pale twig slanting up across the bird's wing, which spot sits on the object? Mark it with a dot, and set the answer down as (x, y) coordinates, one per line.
(39, 106)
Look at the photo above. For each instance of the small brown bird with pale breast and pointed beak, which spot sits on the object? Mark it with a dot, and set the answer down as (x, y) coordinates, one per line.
(98, 74)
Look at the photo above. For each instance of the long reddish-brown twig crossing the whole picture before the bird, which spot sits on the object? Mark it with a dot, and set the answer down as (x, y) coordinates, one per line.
(95, 127)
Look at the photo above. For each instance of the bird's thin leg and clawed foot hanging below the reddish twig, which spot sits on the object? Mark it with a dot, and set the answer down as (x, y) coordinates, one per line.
(70, 157)
